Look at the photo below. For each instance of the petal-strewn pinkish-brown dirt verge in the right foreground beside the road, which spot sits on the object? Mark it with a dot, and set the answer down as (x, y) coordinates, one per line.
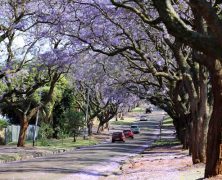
(160, 163)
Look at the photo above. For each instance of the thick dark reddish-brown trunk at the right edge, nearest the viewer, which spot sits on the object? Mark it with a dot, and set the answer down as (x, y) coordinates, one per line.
(213, 163)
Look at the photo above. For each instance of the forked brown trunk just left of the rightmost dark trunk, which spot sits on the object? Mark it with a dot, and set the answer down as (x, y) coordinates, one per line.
(198, 103)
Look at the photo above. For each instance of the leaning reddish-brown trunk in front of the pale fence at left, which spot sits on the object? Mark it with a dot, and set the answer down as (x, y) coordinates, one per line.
(22, 133)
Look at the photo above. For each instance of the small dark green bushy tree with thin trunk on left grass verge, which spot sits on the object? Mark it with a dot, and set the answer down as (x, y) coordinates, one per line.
(74, 122)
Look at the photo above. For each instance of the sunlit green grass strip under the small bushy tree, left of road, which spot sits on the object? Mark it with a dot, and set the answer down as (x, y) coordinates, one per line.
(67, 143)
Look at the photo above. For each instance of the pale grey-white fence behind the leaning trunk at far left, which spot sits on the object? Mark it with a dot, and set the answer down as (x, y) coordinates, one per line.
(11, 133)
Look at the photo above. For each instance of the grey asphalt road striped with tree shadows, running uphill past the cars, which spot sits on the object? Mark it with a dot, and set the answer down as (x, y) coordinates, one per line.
(85, 163)
